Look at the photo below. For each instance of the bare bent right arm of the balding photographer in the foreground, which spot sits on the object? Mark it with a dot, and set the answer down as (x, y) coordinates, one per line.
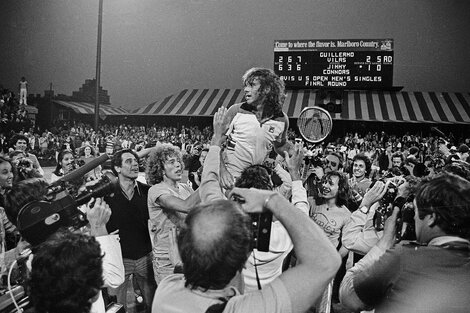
(318, 260)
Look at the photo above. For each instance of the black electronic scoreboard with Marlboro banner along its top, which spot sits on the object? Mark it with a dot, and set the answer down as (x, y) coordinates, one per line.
(337, 63)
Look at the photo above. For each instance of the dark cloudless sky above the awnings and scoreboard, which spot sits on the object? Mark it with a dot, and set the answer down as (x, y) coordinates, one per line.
(152, 48)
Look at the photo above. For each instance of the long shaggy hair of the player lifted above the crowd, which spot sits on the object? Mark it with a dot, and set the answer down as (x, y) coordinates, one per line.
(272, 88)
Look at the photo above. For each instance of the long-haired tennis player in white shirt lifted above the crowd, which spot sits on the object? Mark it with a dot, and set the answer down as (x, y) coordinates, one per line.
(255, 126)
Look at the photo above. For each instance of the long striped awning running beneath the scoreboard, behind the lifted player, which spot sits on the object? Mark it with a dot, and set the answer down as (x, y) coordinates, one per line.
(380, 106)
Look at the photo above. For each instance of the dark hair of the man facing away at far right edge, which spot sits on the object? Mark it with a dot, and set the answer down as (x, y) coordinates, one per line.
(448, 196)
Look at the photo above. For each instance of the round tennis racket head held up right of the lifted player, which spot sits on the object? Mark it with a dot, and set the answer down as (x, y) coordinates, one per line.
(314, 124)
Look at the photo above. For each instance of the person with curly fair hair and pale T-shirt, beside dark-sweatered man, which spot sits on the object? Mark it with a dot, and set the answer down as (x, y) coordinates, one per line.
(169, 201)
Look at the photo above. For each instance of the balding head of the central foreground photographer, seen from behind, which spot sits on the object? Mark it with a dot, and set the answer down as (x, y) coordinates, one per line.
(211, 259)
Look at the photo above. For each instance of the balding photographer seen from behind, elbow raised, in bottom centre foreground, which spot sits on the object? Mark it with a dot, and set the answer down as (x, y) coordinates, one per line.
(215, 244)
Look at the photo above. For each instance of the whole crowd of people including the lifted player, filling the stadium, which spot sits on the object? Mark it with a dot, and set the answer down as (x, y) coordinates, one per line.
(364, 221)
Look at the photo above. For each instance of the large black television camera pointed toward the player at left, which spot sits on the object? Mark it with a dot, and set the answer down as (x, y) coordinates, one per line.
(39, 219)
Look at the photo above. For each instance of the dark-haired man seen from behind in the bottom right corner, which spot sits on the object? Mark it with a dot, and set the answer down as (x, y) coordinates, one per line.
(428, 276)
